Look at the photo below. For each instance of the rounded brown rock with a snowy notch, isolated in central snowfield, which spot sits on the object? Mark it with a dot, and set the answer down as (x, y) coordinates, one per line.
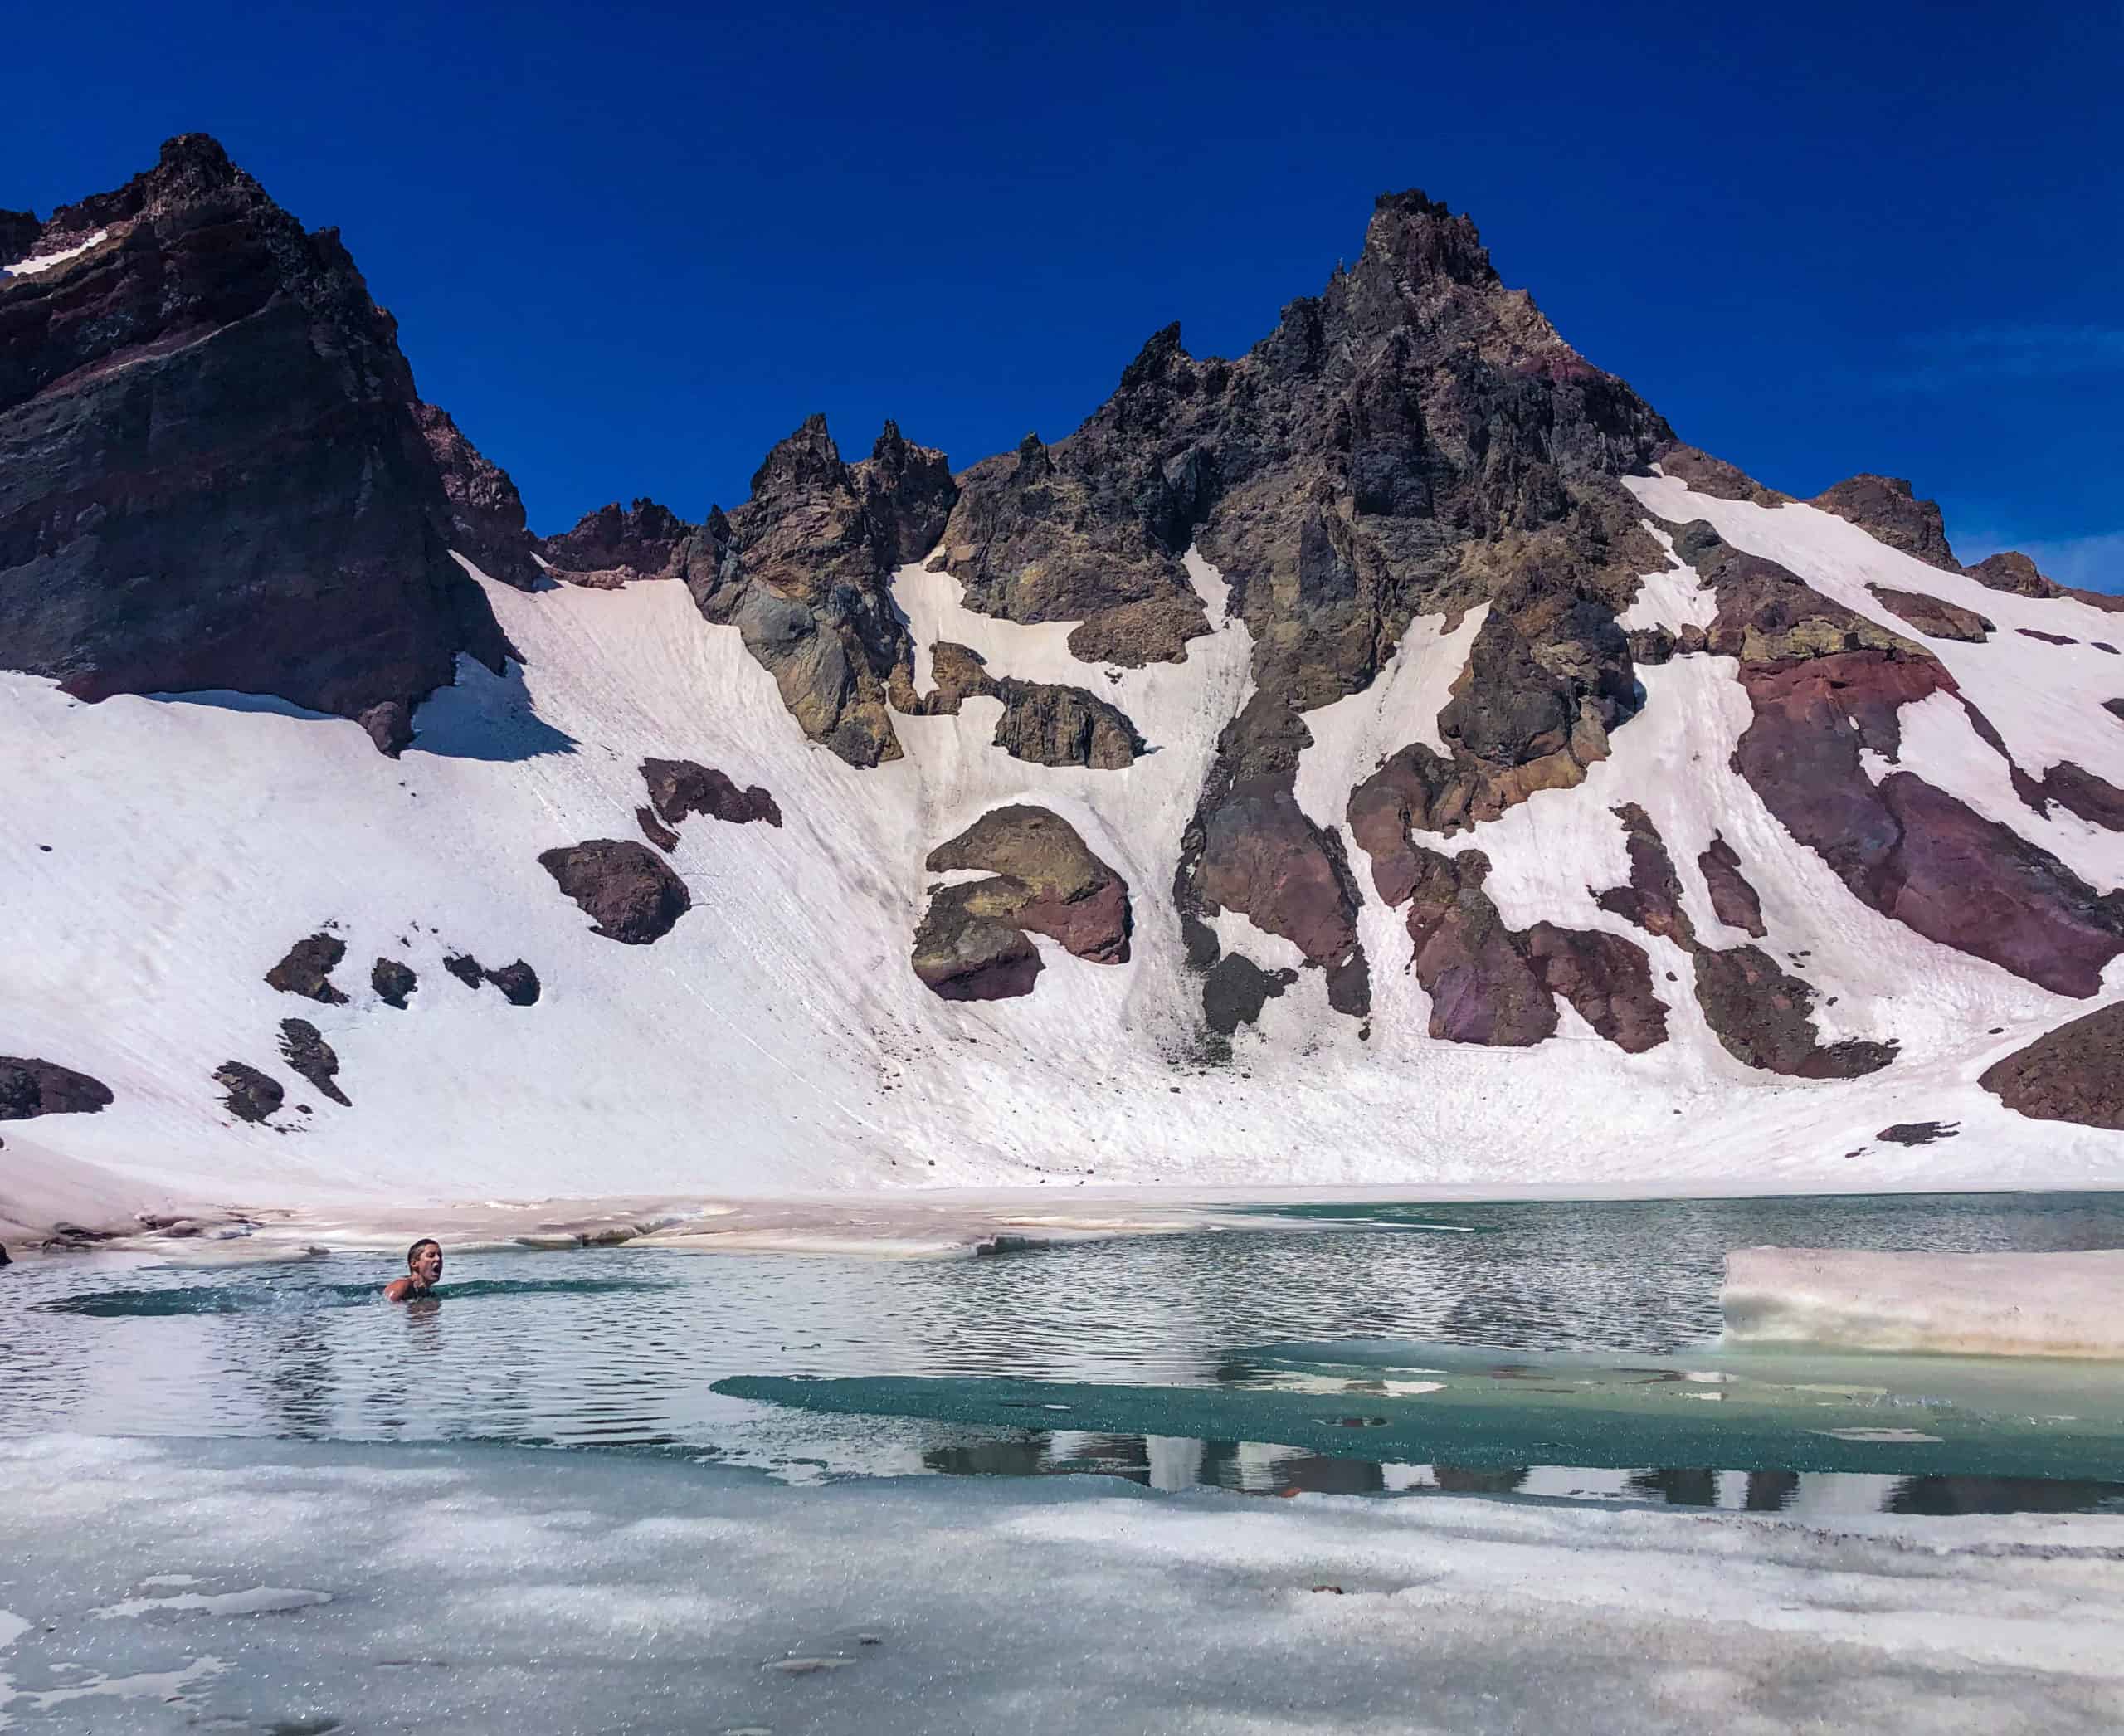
(972, 944)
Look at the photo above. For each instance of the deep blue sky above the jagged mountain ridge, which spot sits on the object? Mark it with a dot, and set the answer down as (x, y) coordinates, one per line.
(634, 245)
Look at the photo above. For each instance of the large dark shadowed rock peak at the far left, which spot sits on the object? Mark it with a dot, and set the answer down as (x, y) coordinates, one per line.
(211, 462)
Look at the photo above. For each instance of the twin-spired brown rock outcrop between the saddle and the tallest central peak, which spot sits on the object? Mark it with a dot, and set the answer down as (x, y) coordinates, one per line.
(804, 573)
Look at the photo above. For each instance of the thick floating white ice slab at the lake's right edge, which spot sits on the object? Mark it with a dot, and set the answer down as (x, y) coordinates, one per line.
(1959, 1304)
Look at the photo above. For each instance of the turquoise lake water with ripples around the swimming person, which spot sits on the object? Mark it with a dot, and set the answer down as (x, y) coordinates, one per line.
(1554, 1348)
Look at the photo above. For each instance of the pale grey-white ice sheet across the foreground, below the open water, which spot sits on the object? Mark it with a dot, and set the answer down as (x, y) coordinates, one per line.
(258, 1586)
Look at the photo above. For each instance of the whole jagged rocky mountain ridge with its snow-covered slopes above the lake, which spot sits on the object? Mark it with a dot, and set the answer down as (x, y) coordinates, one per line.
(1397, 719)
